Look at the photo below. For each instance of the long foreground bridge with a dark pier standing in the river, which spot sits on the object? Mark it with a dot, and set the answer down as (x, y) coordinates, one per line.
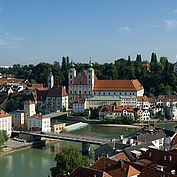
(85, 140)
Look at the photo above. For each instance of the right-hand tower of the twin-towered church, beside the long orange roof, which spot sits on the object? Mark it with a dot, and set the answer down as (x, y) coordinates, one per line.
(90, 78)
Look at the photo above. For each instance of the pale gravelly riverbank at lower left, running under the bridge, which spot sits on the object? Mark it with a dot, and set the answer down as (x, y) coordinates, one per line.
(12, 146)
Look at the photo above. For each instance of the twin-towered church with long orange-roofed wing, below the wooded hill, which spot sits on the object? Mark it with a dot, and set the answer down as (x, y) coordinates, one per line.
(86, 85)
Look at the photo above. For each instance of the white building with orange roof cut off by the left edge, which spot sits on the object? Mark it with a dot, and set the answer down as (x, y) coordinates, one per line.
(6, 122)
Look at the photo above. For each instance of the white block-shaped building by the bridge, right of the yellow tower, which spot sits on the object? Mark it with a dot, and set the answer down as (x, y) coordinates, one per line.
(38, 123)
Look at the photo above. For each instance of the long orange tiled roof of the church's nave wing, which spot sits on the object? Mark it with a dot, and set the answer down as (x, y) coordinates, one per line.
(117, 85)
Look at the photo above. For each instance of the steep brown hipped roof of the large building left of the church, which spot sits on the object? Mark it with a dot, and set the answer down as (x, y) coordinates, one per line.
(58, 91)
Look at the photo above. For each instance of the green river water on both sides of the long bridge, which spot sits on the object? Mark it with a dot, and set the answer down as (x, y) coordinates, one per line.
(36, 162)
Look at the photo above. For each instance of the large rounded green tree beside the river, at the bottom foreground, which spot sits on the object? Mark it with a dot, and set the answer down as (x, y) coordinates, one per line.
(69, 159)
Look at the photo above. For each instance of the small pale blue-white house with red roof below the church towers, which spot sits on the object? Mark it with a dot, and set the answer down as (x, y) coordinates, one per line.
(79, 105)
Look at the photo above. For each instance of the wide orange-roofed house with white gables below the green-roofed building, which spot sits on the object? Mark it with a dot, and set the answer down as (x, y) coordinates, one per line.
(115, 111)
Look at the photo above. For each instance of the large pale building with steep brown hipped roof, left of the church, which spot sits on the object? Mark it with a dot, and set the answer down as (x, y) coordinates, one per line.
(56, 100)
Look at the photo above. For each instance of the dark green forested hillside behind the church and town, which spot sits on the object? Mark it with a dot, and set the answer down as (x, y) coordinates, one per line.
(158, 79)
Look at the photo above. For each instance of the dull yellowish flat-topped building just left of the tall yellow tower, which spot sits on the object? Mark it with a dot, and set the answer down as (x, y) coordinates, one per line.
(18, 118)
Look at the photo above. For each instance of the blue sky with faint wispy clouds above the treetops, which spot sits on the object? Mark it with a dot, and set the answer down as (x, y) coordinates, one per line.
(33, 31)
